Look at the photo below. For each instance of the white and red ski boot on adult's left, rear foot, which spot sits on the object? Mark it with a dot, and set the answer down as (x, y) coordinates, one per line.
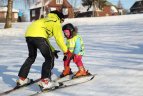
(23, 81)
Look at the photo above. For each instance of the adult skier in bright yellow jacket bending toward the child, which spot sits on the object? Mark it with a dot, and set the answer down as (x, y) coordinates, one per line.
(37, 36)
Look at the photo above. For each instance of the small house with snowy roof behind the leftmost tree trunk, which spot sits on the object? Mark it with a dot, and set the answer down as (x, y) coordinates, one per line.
(3, 12)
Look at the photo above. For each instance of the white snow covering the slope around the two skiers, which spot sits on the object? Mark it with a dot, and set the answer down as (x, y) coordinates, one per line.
(114, 51)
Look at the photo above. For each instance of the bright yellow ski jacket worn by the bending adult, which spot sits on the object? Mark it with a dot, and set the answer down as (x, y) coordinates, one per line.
(46, 28)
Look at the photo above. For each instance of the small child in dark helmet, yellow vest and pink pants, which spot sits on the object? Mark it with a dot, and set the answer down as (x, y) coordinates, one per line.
(75, 45)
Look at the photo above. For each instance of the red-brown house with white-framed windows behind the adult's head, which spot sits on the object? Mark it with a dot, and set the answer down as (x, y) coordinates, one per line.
(40, 9)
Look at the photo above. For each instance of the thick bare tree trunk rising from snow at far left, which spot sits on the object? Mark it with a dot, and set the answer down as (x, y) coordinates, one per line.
(8, 23)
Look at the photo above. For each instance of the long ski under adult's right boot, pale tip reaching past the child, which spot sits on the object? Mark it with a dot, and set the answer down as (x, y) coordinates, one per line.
(67, 83)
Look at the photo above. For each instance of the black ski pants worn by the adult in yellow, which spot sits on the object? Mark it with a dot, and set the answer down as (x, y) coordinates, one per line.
(33, 44)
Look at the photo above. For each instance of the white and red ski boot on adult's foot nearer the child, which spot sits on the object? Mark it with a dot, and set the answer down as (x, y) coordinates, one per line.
(46, 83)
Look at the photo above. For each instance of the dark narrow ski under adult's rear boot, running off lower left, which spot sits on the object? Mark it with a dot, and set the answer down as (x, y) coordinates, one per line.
(19, 87)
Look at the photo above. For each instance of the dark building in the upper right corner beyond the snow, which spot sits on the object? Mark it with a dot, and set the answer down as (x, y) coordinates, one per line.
(137, 7)
